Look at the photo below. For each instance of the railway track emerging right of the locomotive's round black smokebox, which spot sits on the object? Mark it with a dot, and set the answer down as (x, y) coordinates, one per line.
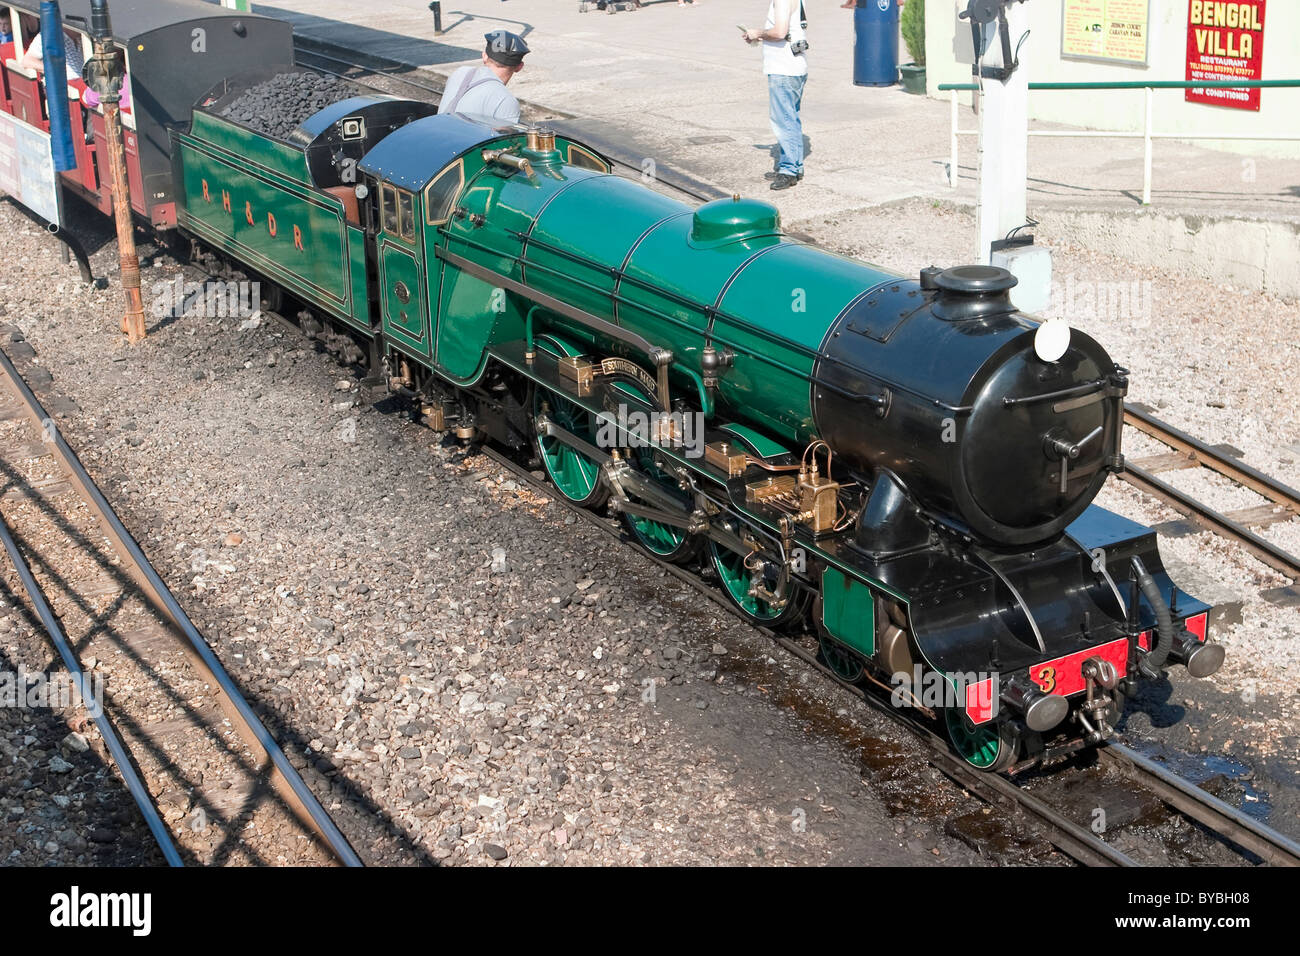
(1282, 504)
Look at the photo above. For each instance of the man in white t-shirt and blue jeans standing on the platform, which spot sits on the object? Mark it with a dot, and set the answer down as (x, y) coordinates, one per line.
(785, 63)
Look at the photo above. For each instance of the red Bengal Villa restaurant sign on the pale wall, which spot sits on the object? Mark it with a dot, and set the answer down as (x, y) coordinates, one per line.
(1225, 41)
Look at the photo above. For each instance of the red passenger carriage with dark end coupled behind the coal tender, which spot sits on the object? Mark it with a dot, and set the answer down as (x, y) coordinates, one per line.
(176, 51)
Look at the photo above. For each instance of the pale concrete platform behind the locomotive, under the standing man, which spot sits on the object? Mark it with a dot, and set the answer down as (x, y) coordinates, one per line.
(678, 86)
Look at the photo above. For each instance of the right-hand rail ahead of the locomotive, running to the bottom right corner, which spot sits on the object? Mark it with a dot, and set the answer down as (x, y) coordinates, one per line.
(1224, 819)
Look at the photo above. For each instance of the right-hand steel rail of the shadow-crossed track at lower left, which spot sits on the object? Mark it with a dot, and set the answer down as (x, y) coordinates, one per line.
(293, 789)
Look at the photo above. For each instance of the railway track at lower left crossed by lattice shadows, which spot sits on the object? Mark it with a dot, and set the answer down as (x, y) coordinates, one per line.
(210, 780)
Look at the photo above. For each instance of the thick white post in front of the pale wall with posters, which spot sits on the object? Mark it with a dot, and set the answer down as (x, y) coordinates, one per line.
(1004, 142)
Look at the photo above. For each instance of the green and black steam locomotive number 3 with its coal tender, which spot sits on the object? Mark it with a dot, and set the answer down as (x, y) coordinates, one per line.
(907, 465)
